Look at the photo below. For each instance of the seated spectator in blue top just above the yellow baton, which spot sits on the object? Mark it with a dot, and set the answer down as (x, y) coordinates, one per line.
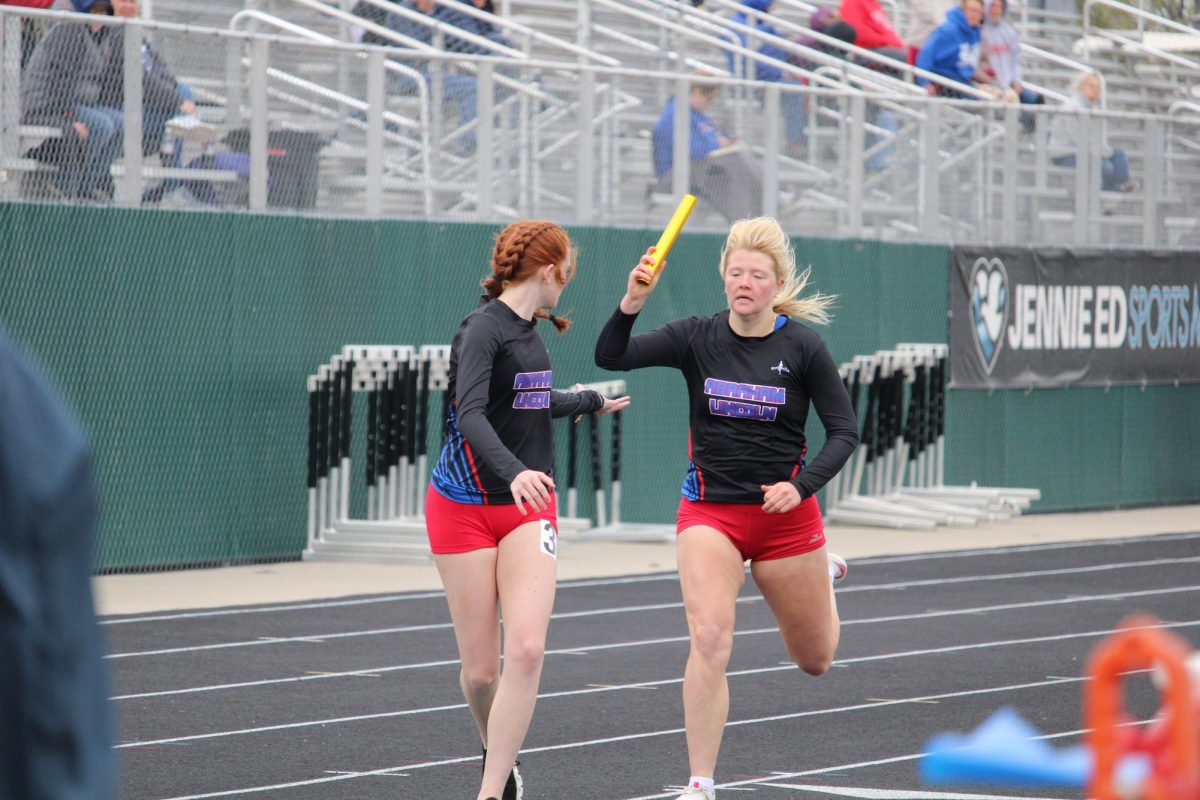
(721, 175)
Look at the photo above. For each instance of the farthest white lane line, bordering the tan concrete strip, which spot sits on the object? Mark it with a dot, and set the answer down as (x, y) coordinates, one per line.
(645, 579)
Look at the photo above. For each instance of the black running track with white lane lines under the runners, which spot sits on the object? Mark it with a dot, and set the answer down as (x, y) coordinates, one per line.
(358, 699)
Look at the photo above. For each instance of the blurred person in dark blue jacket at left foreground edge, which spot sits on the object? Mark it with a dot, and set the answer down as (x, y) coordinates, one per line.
(56, 724)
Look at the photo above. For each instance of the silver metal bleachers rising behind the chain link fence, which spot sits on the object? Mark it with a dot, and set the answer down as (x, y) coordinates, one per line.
(578, 93)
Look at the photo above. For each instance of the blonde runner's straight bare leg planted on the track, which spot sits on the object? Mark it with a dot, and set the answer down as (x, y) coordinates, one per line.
(711, 574)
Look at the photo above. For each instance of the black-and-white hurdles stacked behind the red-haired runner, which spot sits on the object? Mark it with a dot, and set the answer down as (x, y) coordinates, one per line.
(400, 384)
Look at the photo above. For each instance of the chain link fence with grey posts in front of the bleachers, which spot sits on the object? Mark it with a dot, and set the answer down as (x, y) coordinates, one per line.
(271, 116)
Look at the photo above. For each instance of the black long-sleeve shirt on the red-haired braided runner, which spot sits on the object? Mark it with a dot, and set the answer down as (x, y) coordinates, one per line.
(502, 406)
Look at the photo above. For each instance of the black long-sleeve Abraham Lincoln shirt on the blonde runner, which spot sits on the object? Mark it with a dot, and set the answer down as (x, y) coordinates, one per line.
(748, 401)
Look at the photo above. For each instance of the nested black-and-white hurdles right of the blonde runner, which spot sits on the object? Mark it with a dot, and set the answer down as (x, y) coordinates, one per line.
(896, 479)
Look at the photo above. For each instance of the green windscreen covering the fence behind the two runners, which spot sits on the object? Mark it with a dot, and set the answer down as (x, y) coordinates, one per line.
(184, 341)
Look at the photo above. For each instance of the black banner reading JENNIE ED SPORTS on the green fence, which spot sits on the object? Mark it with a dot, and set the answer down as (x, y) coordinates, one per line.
(1023, 317)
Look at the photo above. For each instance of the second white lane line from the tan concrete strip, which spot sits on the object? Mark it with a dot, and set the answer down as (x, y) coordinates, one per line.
(598, 612)
